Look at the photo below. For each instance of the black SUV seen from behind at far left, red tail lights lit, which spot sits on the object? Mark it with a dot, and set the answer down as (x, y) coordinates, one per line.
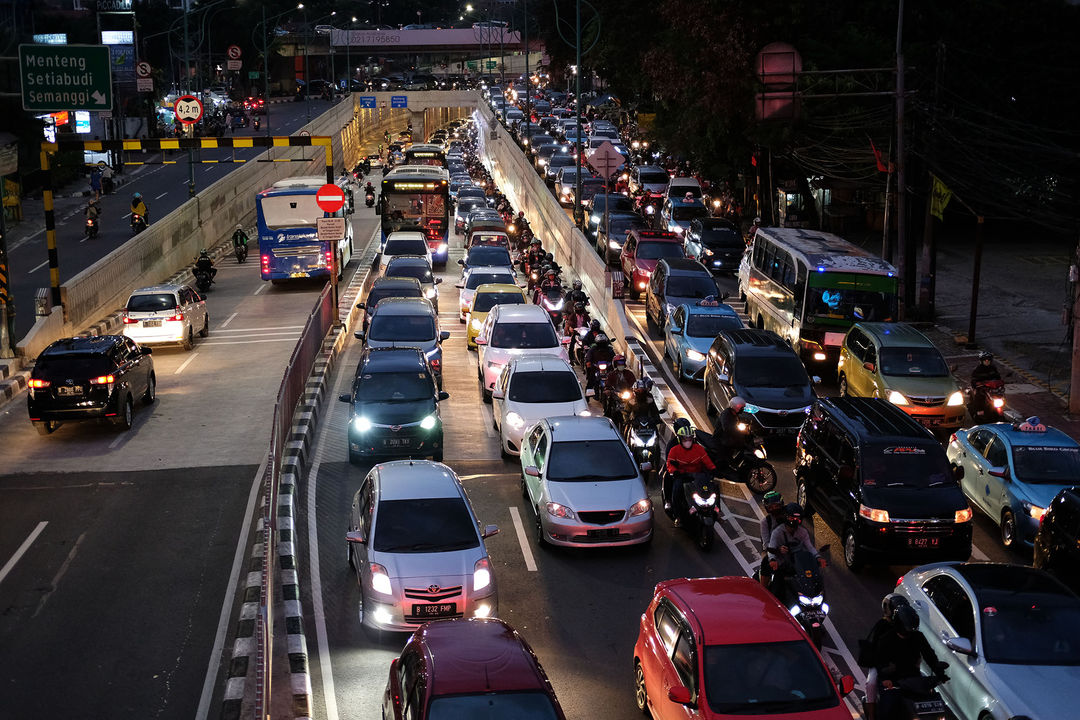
(96, 378)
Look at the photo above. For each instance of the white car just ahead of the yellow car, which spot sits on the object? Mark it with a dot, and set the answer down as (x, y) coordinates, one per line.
(512, 332)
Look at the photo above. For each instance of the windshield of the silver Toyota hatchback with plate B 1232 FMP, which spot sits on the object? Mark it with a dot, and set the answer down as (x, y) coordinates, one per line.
(424, 525)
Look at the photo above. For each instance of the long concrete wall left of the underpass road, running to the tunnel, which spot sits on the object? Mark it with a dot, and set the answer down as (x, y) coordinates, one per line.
(172, 243)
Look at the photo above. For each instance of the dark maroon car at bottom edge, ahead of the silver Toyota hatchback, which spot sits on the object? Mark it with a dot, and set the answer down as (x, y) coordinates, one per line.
(469, 669)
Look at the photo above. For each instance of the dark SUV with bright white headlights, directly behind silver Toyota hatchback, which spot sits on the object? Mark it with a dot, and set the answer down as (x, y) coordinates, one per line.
(395, 406)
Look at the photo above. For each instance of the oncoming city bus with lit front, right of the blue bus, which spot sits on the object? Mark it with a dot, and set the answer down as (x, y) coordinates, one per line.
(417, 198)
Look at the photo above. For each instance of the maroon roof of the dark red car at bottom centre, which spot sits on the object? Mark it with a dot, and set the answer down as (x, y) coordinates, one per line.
(478, 656)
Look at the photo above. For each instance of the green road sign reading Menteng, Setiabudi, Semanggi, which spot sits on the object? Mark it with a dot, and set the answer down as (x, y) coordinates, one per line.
(65, 77)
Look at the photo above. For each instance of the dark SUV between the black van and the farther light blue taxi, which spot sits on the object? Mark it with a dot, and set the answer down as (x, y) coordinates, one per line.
(764, 371)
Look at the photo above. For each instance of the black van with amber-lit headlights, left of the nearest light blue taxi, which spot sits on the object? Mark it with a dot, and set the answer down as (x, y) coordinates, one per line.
(882, 483)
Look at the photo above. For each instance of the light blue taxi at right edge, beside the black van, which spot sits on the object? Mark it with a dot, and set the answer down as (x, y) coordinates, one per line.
(1012, 472)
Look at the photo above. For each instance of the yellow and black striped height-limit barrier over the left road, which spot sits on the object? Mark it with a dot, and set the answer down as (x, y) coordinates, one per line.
(157, 145)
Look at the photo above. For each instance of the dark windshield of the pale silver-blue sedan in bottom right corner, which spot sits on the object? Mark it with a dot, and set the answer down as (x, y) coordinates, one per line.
(1030, 629)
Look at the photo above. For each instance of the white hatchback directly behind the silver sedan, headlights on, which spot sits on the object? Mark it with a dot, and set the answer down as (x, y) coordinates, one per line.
(530, 390)
